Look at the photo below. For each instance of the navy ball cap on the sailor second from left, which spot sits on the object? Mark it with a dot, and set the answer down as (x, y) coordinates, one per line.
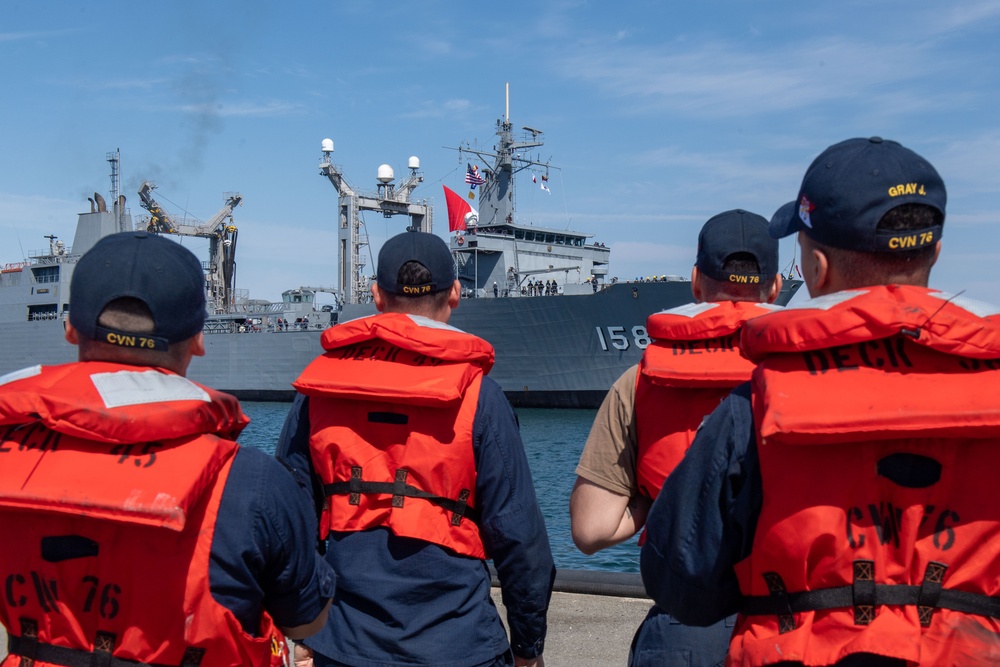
(428, 250)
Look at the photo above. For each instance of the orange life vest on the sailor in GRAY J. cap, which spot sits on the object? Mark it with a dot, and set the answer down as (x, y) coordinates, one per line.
(877, 418)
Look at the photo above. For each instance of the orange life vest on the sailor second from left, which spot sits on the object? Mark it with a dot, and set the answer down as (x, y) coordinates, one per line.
(391, 410)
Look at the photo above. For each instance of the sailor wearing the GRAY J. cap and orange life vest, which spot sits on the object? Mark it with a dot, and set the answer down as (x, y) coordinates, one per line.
(865, 532)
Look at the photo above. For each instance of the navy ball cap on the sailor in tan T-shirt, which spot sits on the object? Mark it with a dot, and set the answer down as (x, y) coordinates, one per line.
(736, 231)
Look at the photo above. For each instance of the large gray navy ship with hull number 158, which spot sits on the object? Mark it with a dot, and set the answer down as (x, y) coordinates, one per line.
(562, 330)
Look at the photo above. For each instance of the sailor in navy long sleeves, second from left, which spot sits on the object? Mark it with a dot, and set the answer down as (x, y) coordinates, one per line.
(421, 476)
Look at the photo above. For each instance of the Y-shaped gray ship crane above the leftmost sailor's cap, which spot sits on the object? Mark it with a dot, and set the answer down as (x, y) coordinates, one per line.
(220, 274)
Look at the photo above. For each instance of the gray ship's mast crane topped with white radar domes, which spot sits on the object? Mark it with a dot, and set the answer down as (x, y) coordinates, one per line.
(390, 199)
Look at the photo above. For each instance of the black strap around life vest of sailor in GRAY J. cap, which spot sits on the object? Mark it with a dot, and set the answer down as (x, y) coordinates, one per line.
(864, 595)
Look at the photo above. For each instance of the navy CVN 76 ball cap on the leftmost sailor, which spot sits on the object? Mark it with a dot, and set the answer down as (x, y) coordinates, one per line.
(164, 275)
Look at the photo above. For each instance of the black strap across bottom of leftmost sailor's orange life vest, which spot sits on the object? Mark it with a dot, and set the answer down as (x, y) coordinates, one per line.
(30, 650)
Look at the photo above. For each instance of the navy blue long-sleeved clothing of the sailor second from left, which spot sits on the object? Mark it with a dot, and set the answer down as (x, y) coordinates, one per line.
(384, 580)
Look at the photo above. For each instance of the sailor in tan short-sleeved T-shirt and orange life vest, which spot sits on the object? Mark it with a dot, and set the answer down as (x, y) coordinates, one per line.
(650, 415)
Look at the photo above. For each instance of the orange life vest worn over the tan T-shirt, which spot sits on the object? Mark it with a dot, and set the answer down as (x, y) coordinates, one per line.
(693, 364)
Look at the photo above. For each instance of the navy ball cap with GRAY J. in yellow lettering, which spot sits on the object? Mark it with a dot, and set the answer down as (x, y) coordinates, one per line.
(851, 185)
